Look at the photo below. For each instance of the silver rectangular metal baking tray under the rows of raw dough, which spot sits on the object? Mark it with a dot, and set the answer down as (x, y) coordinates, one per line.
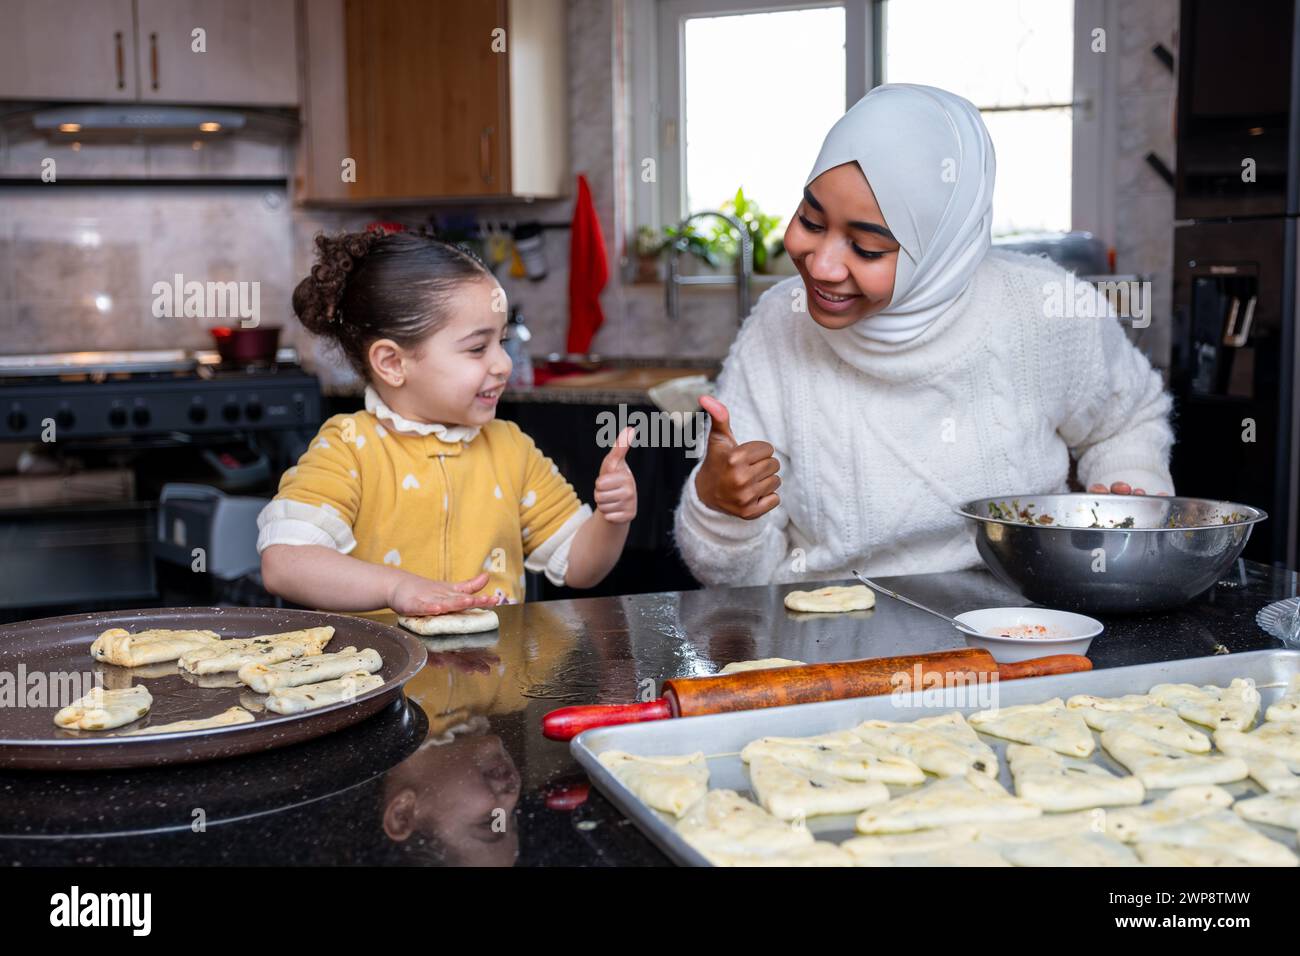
(722, 737)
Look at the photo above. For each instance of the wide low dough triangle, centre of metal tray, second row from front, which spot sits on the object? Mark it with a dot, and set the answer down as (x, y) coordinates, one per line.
(972, 798)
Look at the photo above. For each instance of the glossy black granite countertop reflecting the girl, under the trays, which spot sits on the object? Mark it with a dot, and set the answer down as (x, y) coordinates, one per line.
(460, 773)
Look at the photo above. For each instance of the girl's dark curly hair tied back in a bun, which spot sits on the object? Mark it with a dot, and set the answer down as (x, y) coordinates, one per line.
(372, 285)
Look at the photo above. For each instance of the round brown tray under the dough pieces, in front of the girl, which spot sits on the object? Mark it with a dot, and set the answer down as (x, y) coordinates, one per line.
(55, 647)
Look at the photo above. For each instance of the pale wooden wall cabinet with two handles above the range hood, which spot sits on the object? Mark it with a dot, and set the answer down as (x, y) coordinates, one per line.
(141, 50)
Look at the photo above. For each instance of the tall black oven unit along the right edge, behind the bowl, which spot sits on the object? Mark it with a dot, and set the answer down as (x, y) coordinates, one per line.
(1234, 351)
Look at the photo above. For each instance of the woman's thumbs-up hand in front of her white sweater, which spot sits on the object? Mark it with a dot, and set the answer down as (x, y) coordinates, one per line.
(736, 479)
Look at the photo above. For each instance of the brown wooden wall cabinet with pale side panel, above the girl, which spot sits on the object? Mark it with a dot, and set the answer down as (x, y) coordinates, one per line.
(418, 98)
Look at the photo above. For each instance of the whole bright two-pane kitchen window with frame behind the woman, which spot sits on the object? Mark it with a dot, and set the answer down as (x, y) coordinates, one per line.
(747, 92)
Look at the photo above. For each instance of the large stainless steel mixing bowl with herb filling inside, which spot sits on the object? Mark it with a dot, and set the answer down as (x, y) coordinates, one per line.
(1110, 553)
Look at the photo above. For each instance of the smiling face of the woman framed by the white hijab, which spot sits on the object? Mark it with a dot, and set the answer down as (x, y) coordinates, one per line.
(843, 249)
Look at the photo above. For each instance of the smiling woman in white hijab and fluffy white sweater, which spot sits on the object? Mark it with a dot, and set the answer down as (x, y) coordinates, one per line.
(908, 369)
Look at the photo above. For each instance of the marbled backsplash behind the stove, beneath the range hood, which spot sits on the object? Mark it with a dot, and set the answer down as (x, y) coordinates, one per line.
(79, 265)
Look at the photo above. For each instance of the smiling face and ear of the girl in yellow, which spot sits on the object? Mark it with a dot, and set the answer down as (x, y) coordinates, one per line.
(457, 375)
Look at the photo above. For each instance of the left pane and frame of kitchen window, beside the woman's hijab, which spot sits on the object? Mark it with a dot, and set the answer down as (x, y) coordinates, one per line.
(746, 93)
